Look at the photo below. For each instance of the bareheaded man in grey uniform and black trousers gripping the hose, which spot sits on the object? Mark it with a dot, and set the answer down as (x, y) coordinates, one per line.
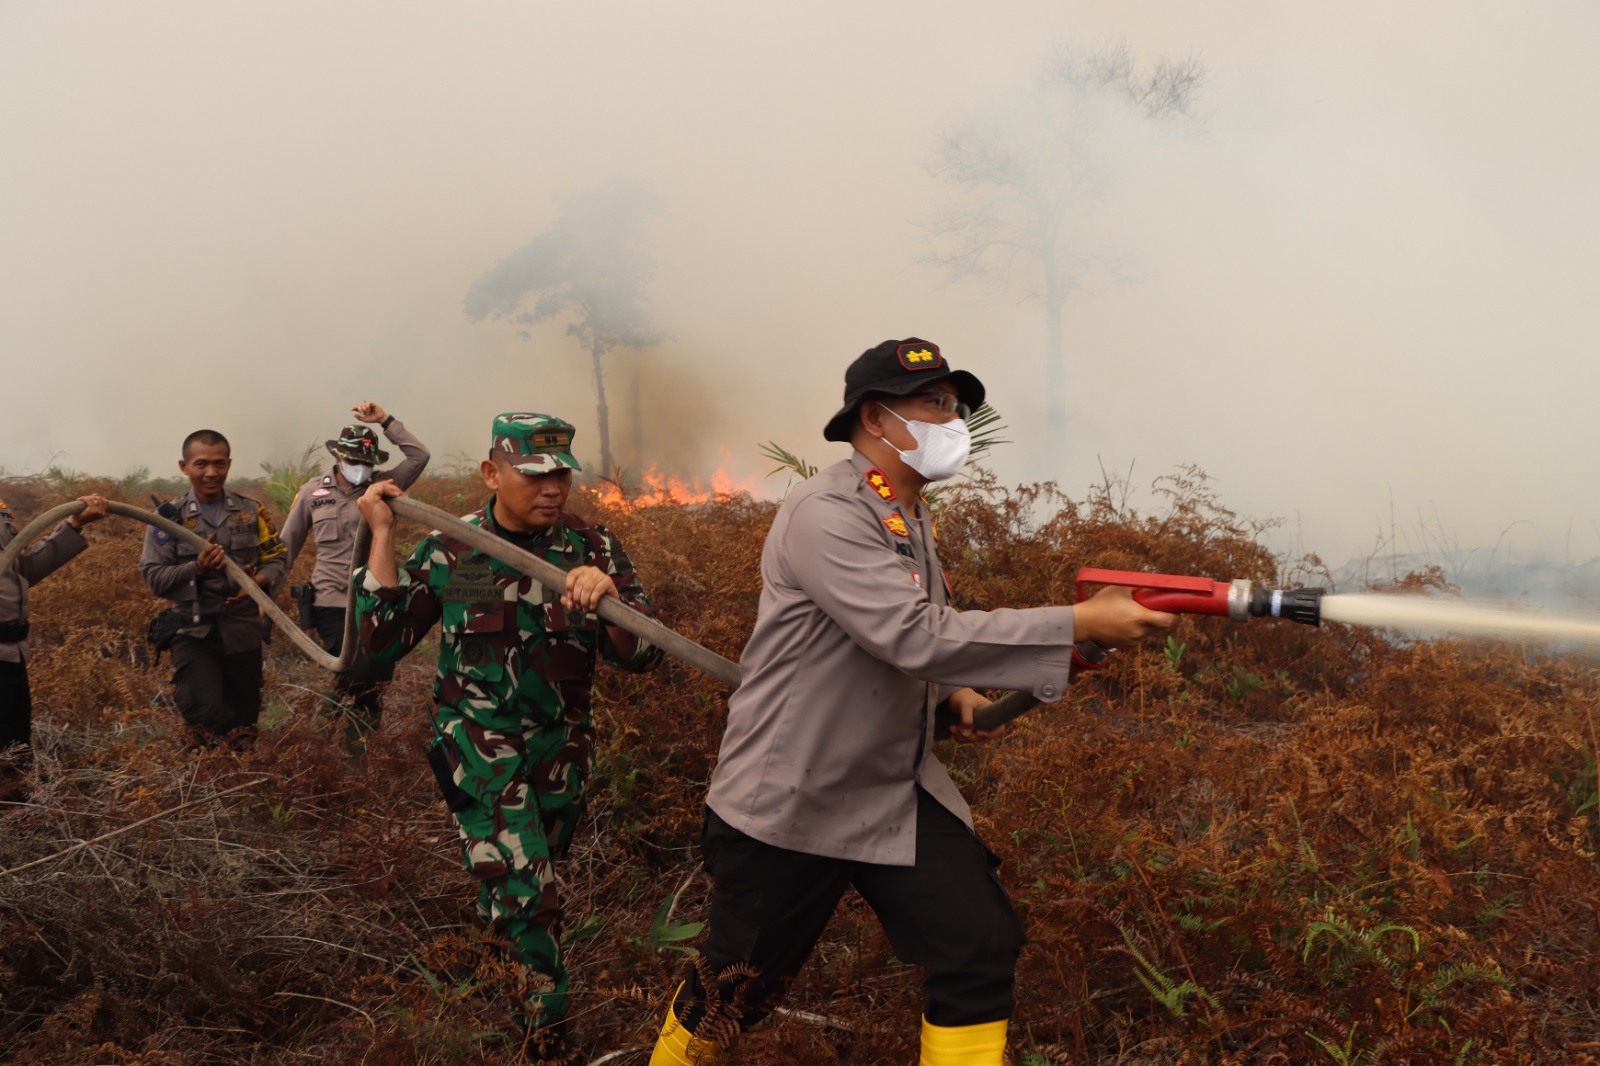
(217, 654)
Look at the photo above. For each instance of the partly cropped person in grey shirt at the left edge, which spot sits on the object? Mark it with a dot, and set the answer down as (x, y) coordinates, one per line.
(42, 559)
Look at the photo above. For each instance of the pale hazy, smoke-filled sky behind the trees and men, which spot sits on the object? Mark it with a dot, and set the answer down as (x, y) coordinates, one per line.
(1367, 287)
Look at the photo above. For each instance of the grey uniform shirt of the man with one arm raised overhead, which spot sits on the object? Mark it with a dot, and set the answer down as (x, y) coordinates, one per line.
(329, 511)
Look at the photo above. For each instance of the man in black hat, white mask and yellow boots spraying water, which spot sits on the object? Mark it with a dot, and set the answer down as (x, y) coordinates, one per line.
(826, 777)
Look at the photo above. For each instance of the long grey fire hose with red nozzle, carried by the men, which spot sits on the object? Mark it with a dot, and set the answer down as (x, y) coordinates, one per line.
(1178, 595)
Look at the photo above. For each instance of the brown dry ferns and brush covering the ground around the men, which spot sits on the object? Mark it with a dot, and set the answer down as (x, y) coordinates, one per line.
(1266, 844)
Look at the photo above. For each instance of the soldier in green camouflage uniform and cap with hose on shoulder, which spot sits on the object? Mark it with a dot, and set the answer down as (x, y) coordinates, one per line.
(514, 734)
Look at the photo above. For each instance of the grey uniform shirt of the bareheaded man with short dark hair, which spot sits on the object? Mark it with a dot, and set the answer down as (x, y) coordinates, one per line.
(249, 539)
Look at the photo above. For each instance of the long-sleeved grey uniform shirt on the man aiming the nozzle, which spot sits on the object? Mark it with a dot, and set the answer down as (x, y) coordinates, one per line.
(855, 644)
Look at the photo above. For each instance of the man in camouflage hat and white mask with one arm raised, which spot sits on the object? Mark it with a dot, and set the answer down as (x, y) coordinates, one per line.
(327, 510)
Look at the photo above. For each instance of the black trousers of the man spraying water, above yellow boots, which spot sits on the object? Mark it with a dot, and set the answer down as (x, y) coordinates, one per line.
(946, 915)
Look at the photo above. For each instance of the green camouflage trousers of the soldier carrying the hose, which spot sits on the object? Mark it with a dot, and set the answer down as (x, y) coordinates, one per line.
(516, 799)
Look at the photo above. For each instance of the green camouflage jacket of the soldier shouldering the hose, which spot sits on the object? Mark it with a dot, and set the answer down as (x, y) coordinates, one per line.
(510, 655)
